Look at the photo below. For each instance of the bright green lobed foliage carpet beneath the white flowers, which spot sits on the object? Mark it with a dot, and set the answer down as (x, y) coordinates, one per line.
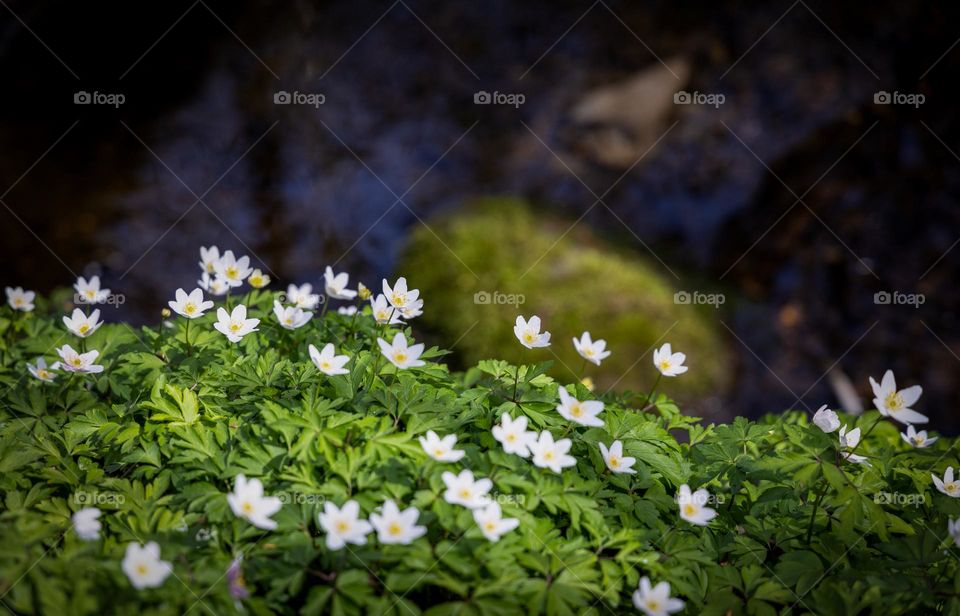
(156, 440)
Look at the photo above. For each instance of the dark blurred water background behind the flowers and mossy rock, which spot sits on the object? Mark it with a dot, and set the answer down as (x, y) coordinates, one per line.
(94, 189)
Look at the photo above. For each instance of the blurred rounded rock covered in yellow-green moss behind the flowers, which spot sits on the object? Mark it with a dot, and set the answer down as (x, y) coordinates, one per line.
(571, 278)
